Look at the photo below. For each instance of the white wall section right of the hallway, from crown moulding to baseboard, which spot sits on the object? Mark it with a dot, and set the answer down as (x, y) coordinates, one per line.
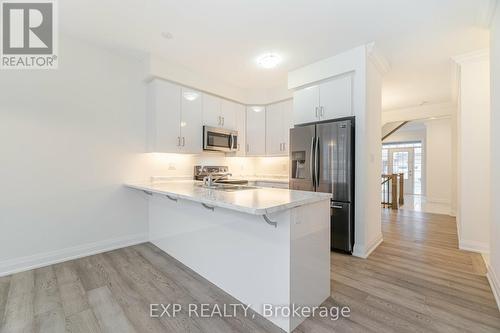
(473, 131)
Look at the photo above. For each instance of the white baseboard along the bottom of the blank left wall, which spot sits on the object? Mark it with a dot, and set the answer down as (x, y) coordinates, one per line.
(21, 264)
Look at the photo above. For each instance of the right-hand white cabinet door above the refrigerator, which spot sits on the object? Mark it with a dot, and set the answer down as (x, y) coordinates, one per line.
(336, 98)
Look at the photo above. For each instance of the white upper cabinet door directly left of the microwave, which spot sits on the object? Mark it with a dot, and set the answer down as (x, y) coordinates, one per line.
(191, 121)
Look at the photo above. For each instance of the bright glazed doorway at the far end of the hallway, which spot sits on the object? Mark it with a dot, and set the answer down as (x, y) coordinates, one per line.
(405, 158)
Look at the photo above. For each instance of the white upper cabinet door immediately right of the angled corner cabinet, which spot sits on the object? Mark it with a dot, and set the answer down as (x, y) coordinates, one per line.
(274, 130)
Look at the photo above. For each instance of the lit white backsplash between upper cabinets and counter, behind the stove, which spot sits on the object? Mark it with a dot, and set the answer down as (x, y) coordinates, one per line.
(181, 165)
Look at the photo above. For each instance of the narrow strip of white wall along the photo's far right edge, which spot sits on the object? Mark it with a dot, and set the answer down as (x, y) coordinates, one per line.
(494, 267)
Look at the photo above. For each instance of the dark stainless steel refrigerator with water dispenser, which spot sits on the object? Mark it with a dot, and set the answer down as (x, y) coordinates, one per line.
(322, 160)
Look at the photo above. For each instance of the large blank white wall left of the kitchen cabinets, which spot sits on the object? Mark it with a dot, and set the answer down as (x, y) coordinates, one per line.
(69, 139)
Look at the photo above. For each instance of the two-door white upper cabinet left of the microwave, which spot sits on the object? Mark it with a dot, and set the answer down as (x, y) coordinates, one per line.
(174, 122)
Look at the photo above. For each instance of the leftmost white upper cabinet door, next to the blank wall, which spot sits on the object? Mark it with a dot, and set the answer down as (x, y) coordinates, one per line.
(164, 117)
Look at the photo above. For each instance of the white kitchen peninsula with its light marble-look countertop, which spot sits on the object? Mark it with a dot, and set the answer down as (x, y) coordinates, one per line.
(260, 245)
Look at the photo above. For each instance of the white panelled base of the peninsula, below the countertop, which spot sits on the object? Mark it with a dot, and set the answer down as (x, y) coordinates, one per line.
(249, 259)
